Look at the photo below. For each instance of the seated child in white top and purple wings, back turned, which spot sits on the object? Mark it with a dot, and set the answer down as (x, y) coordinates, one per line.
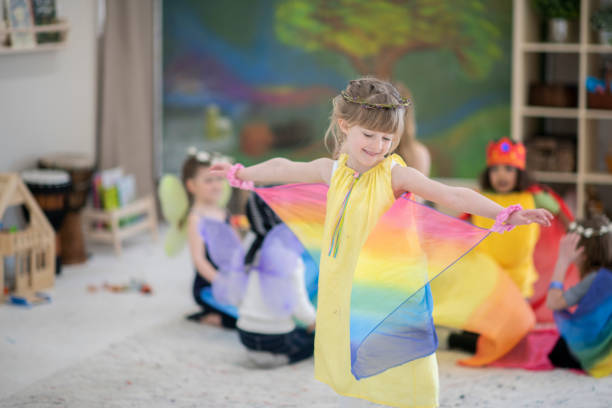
(274, 297)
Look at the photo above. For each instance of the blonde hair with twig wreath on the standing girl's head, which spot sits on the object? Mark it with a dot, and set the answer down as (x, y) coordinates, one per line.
(370, 90)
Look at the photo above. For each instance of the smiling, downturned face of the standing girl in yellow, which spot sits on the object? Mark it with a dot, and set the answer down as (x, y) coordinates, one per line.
(364, 147)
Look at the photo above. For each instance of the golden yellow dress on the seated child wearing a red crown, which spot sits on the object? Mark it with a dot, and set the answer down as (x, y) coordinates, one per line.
(513, 251)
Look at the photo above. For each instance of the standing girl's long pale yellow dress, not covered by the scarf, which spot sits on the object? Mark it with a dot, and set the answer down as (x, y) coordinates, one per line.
(414, 384)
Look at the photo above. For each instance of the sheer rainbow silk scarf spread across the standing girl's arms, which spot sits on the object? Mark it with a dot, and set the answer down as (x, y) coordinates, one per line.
(391, 300)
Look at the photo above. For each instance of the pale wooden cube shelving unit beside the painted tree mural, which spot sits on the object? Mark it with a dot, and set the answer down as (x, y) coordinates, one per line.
(528, 44)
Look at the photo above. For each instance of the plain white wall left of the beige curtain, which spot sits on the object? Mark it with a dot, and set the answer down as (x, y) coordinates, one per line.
(48, 99)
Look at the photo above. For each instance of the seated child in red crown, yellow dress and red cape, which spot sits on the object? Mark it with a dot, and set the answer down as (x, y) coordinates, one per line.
(525, 254)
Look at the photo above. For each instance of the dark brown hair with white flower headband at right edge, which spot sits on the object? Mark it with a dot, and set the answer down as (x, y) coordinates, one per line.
(597, 246)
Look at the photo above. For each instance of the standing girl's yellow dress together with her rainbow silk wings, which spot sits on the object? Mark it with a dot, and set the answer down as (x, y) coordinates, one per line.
(375, 336)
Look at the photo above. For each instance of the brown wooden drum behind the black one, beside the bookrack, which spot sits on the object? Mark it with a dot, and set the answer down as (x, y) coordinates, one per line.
(80, 168)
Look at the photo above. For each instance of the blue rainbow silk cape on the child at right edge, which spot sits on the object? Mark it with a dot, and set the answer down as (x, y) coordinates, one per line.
(588, 331)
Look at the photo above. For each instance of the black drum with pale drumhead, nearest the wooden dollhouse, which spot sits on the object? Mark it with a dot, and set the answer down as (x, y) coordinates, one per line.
(50, 189)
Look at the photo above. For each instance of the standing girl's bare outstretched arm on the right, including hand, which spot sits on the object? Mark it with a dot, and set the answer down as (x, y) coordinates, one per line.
(459, 198)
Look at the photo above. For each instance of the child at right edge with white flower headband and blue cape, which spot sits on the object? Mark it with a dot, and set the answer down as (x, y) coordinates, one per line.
(586, 334)
